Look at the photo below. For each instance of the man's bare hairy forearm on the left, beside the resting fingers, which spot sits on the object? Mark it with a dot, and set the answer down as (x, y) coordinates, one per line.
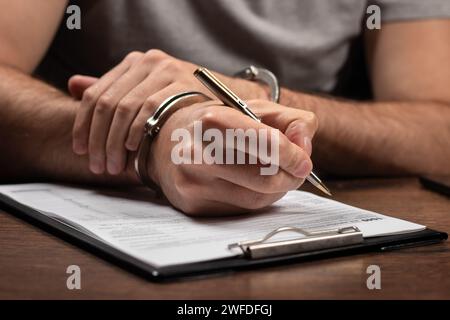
(35, 130)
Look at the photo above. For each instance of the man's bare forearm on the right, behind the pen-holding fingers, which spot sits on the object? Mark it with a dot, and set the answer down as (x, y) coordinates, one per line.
(379, 138)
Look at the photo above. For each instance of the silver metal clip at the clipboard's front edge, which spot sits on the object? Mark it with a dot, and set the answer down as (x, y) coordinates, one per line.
(311, 241)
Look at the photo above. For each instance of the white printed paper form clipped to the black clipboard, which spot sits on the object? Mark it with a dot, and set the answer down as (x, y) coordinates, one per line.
(134, 222)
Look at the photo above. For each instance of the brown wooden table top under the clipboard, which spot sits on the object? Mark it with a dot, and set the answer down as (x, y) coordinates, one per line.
(33, 262)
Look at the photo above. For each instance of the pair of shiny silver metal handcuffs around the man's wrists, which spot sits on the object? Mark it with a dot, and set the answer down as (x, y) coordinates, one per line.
(169, 106)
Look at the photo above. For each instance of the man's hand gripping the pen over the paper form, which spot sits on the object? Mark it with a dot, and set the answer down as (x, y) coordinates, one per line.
(230, 188)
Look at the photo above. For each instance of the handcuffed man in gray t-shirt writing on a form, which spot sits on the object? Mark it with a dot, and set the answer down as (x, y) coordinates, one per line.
(405, 130)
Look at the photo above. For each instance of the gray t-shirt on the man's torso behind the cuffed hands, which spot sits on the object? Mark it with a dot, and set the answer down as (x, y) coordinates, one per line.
(304, 42)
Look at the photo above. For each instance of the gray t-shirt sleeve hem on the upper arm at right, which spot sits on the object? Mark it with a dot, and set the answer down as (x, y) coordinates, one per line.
(397, 10)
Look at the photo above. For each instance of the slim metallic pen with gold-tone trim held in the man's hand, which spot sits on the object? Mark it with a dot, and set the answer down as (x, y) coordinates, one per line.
(230, 99)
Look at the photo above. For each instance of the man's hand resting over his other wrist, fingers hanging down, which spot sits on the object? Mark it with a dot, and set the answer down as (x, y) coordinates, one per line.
(114, 109)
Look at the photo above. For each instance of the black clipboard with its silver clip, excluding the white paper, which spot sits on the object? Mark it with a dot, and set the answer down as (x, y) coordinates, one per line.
(255, 253)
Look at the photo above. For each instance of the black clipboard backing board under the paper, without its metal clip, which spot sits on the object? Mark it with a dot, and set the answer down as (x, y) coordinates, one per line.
(105, 251)
